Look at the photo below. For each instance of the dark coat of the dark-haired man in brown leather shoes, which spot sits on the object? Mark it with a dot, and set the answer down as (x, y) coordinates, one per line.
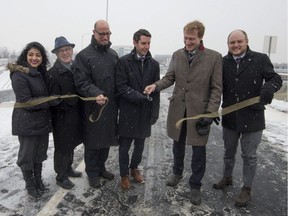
(136, 114)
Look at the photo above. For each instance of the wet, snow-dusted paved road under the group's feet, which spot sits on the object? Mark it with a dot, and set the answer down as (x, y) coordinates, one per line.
(269, 193)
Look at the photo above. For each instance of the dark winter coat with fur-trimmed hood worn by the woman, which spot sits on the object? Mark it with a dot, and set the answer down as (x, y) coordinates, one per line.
(34, 120)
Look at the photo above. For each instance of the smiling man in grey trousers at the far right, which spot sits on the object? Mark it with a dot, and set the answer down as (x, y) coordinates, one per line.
(246, 74)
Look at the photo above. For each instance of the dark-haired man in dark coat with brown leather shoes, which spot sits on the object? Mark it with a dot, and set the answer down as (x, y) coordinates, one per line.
(136, 112)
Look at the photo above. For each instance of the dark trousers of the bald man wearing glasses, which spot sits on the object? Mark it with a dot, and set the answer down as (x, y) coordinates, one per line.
(95, 161)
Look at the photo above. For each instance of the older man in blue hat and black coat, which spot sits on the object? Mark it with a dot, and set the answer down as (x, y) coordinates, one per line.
(66, 113)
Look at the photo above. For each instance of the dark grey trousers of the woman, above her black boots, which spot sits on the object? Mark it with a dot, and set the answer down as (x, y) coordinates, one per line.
(33, 149)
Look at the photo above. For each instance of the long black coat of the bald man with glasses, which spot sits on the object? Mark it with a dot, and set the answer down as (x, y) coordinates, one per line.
(94, 74)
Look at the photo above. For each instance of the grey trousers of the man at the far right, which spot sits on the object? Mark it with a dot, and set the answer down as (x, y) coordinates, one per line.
(249, 143)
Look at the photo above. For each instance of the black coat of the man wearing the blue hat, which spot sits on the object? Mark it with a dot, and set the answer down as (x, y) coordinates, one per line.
(67, 114)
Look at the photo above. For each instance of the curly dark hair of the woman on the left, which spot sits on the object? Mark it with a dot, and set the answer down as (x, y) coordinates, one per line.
(22, 59)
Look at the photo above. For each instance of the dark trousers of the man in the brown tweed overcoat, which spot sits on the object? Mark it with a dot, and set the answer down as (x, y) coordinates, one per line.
(198, 162)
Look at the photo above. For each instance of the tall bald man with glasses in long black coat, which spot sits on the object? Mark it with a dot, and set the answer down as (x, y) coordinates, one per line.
(94, 71)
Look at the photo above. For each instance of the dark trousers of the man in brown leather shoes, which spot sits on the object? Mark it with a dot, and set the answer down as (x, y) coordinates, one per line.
(124, 147)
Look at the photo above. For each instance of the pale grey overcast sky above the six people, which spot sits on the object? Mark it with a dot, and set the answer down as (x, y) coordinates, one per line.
(23, 21)
